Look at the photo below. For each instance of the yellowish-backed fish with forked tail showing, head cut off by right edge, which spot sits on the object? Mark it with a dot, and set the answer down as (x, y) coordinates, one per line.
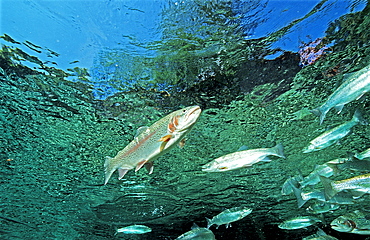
(358, 185)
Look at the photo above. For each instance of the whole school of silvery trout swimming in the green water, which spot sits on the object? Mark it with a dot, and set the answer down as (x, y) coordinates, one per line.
(152, 142)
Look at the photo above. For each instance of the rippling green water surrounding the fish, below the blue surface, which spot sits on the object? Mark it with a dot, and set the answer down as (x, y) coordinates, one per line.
(54, 138)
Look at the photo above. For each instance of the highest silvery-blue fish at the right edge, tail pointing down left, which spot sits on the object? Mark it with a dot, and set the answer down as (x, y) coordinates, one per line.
(355, 85)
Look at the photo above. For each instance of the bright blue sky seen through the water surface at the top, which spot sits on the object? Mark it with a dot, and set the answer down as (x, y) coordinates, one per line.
(79, 30)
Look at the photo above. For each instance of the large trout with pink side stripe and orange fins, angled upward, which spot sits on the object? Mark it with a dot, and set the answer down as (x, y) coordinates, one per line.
(152, 142)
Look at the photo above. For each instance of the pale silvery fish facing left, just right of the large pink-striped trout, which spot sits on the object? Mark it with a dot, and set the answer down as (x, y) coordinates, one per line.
(242, 159)
